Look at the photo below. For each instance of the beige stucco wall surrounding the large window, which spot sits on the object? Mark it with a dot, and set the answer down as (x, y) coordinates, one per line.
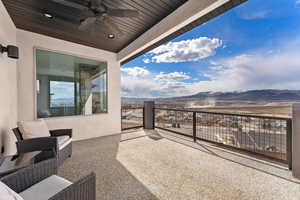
(83, 126)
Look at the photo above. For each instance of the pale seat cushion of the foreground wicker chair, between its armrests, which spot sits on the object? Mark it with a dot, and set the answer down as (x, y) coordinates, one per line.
(46, 188)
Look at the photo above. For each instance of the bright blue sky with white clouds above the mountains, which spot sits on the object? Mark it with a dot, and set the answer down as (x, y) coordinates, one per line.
(253, 46)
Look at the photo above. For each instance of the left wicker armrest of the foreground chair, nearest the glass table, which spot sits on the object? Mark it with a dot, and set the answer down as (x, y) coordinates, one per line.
(26, 177)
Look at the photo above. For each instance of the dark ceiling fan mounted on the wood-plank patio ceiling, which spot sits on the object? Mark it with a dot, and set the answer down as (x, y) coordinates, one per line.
(98, 17)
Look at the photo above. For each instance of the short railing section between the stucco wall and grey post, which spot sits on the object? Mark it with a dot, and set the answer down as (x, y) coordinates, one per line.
(132, 117)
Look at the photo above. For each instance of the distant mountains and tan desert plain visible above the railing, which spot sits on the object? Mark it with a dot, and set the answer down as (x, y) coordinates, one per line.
(276, 103)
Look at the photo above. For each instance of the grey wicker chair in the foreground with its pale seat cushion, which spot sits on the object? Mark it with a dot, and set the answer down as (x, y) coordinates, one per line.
(32, 182)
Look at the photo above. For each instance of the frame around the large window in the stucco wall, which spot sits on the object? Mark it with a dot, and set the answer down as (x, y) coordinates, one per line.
(35, 49)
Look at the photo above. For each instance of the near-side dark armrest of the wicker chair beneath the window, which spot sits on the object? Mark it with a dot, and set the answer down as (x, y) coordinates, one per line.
(37, 144)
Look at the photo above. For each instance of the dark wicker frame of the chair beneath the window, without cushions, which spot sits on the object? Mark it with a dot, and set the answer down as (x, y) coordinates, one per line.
(46, 143)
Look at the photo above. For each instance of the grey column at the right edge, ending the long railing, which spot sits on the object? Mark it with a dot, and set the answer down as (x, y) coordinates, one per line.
(296, 141)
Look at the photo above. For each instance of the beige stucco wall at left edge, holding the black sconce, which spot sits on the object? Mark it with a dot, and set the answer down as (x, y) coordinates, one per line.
(8, 83)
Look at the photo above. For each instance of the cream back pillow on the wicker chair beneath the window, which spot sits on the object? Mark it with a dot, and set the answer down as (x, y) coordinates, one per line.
(34, 129)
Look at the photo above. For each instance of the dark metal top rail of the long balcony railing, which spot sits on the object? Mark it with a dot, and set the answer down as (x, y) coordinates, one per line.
(228, 114)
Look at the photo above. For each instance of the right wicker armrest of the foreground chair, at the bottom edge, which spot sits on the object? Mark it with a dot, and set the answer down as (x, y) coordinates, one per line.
(83, 189)
